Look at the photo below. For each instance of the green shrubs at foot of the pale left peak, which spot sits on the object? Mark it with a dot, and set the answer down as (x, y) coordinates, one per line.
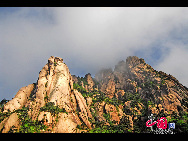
(27, 125)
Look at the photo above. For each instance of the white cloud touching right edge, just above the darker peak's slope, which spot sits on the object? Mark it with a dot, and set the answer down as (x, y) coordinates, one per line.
(175, 62)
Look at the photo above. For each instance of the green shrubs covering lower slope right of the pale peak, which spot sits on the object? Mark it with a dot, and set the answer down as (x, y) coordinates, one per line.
(139, 120)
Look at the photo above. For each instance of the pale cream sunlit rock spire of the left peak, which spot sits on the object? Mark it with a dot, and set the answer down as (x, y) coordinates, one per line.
(55, 86)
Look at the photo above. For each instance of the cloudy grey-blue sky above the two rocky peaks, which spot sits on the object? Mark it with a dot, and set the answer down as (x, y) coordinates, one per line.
(88, 39)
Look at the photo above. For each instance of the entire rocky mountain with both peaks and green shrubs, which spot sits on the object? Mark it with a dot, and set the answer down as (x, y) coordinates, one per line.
(114, 101)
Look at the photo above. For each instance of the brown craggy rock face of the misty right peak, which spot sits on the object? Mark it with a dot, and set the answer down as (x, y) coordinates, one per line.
(135, 76)
